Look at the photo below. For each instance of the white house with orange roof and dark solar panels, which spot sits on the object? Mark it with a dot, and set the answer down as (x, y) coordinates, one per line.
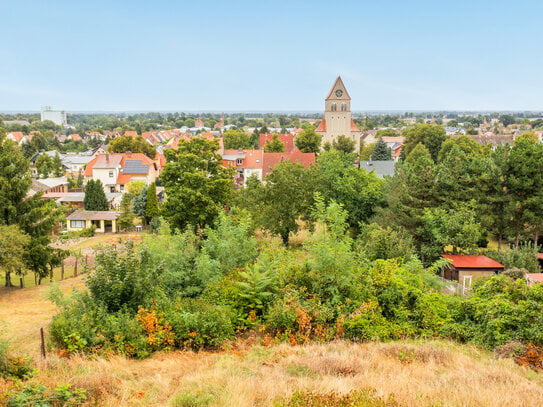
(115, 171)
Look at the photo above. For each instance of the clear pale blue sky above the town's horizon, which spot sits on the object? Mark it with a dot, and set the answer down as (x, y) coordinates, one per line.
(270, 55)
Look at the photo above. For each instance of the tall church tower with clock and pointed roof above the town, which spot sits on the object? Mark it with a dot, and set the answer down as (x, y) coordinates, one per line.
(337, 116)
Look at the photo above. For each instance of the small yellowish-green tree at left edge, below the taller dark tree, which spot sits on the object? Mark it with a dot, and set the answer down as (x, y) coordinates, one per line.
(13, 244)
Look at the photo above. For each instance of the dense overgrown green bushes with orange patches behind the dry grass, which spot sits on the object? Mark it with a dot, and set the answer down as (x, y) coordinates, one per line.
(196, 291)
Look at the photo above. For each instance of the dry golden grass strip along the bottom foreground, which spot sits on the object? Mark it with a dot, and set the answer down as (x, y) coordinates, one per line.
(417, 374)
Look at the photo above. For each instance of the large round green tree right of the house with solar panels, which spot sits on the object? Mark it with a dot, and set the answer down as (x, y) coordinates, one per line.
(196, 184)
